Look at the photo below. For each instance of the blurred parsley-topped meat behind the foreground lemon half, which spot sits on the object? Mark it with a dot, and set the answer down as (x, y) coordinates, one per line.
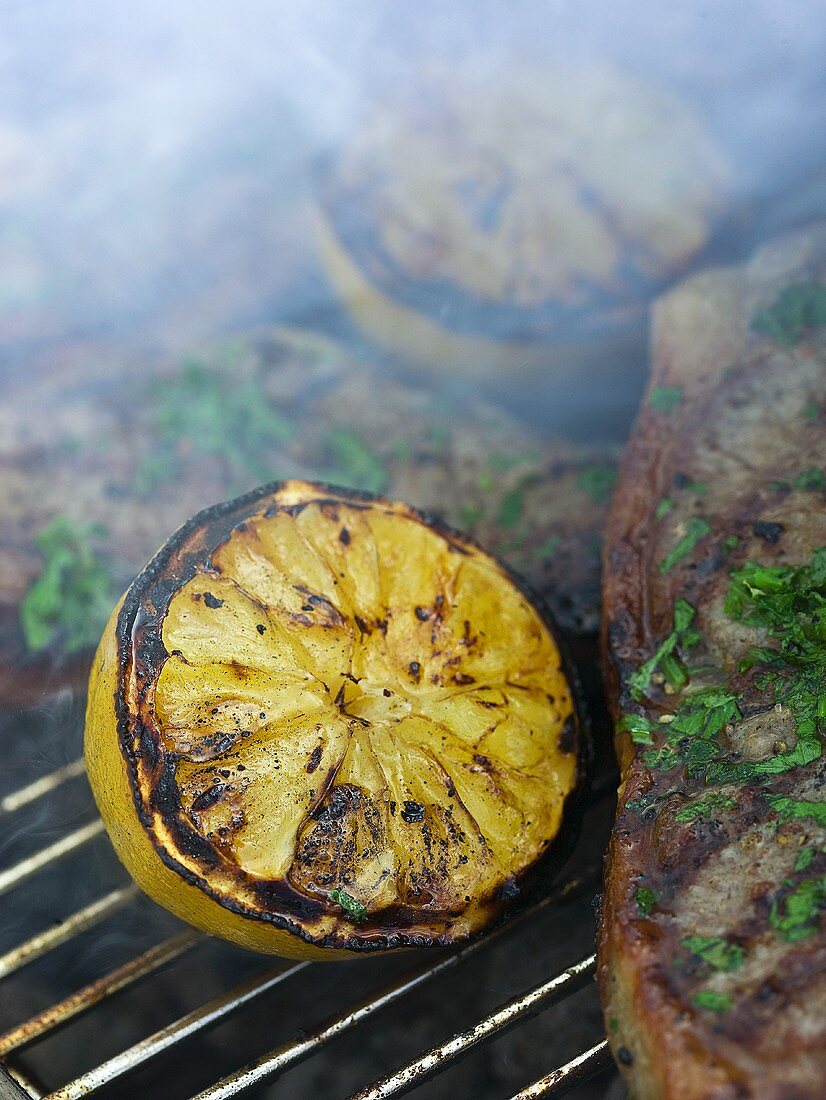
(137, 456)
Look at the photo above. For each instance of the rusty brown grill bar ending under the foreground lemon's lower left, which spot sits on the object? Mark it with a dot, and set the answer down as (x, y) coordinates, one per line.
(76, 1004)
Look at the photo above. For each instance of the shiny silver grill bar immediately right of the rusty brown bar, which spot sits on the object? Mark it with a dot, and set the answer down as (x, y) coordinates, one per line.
(191, 1025)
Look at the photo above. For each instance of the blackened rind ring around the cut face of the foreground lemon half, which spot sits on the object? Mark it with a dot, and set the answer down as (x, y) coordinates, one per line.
(217, 524)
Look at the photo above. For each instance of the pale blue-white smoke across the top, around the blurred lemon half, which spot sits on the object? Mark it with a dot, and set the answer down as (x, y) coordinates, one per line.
(156, 159)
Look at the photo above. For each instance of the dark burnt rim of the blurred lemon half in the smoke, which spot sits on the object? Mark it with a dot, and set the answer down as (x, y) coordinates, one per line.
(349, 215)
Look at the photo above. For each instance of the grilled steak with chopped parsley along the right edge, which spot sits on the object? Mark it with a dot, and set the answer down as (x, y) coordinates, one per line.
(712, 951)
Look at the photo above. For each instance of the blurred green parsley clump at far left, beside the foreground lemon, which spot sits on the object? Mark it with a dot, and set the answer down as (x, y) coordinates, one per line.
(71, 601)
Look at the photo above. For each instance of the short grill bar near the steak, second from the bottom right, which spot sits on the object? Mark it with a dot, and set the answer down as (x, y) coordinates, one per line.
(509, 1016)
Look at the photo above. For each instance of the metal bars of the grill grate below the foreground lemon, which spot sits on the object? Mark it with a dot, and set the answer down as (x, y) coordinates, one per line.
(172, 1038)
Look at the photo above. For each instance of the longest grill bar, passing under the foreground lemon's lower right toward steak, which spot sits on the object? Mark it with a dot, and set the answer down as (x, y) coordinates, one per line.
(291, 1054)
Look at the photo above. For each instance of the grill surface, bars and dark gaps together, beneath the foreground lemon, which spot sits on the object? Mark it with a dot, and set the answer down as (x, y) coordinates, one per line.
(29, 1073)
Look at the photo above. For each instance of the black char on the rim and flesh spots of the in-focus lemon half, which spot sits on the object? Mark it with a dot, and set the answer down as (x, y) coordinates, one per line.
(153, 768)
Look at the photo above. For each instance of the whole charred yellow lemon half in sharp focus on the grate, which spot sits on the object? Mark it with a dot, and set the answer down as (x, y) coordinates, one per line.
(320, 723)
